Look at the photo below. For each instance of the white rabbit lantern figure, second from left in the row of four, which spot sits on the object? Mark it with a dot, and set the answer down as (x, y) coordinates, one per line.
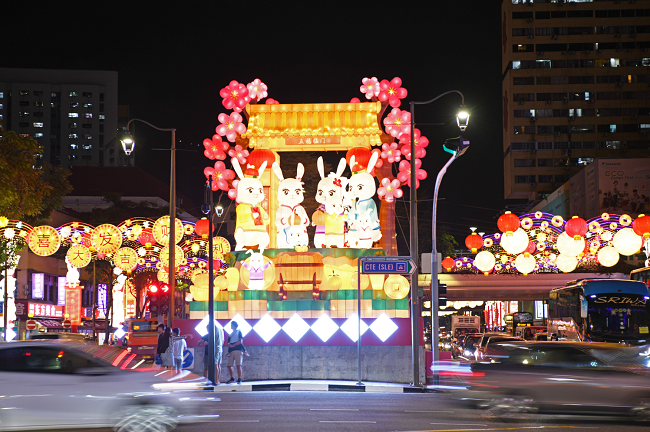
(290, 196)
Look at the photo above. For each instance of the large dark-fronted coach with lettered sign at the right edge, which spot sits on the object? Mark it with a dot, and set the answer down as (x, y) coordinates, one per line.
(600, 310)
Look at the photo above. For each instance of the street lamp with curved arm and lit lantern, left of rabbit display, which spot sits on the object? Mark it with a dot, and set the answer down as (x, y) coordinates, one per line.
(128, 144)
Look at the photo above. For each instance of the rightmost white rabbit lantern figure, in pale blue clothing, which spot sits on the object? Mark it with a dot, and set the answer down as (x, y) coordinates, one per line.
(361, 190)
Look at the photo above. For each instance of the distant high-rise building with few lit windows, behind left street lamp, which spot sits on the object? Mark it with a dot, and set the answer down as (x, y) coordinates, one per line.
(72, 113)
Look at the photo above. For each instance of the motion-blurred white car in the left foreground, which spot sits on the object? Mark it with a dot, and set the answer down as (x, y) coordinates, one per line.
(59, 385)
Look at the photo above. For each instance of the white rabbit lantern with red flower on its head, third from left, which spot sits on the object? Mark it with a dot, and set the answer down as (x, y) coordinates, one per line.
(331, 189)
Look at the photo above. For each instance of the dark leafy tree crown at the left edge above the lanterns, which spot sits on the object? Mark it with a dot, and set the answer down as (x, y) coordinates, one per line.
(30, 189)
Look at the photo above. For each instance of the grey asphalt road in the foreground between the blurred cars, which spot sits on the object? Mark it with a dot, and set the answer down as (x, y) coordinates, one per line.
(372, 412)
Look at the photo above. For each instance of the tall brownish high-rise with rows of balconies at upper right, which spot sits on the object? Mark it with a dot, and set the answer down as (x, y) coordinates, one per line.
(576, 87)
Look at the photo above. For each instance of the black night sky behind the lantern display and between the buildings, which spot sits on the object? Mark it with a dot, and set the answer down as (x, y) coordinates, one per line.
(174, 57)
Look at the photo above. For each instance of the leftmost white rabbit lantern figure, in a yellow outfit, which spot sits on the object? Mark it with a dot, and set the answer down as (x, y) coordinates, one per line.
(252, 220)
